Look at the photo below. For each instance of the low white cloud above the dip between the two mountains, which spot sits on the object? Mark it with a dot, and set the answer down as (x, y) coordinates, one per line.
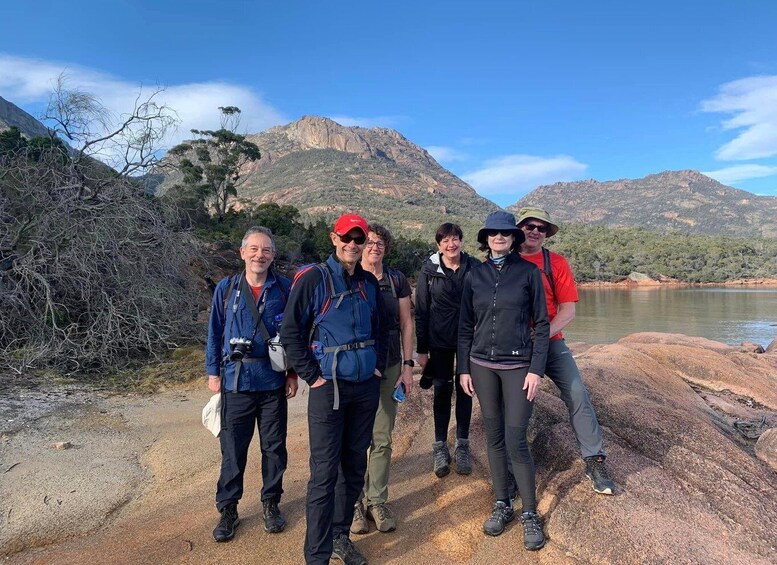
(518, 174)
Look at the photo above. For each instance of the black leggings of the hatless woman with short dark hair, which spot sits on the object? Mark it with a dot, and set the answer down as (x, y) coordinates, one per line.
(442, 371)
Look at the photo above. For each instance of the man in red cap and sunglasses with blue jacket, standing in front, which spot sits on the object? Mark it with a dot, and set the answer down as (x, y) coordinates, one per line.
(336, 336)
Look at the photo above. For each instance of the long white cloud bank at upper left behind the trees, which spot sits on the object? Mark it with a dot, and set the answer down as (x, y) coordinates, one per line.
(26, 81)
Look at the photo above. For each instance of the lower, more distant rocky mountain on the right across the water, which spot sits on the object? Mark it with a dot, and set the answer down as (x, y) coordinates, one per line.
(683, 200)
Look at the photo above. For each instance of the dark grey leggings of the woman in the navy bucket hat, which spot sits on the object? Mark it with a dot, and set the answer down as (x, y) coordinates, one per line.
(506, 413)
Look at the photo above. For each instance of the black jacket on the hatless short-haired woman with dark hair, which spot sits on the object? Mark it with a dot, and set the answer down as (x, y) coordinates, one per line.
(437, 303)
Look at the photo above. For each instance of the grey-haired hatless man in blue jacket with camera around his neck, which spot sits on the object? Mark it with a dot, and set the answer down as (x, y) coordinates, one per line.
(242, 317)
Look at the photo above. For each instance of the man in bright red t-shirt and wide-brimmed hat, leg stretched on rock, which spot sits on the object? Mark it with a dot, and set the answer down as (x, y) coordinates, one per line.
(561, 296)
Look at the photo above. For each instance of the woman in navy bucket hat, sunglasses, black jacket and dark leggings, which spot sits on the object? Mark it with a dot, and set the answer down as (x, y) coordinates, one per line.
(503, 345)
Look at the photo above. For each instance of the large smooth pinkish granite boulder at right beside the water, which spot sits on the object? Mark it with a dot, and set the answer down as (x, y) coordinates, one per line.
(686, 489)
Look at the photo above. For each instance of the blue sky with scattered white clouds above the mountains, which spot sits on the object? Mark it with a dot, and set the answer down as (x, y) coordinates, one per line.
(507, 95)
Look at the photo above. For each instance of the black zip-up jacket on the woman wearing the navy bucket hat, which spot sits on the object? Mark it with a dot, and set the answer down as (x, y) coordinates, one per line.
(497, 308)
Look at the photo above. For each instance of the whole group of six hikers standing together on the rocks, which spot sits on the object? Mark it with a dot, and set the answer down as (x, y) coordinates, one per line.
(491, 328)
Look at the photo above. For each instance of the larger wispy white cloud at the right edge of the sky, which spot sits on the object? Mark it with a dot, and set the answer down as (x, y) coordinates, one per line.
(752, 102)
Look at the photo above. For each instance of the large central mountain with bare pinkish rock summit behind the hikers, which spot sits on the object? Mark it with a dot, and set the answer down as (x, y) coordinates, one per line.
(324, 169)
